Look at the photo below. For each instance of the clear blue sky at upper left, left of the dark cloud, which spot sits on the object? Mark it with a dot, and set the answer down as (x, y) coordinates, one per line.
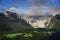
(17, 3)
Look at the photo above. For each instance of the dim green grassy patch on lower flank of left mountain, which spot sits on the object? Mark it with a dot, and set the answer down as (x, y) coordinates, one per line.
(17, 27)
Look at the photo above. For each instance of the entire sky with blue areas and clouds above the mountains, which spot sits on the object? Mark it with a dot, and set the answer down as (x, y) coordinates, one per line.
(31, 7)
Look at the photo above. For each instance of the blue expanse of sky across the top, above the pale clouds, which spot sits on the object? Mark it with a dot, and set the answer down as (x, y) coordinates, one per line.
(22, 5)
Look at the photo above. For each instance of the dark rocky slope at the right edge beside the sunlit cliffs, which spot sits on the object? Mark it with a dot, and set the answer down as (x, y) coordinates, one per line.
(55, 23)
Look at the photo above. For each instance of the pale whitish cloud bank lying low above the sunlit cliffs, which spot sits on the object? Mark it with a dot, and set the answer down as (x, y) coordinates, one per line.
(35, 10)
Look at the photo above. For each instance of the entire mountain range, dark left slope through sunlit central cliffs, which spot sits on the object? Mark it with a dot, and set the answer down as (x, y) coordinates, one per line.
(12, 22)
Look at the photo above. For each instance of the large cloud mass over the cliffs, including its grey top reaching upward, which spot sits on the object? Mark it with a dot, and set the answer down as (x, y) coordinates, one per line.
(38, 8)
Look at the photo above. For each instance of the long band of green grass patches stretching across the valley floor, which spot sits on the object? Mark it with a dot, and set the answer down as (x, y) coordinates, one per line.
(27, 35)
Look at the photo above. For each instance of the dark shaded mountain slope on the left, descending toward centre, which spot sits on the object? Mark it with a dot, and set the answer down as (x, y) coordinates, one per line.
(9, 22)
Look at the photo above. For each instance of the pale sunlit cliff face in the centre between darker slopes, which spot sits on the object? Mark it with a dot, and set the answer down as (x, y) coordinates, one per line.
(38, 21)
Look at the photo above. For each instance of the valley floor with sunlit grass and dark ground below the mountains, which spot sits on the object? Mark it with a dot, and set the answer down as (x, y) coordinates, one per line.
(32, 35)
